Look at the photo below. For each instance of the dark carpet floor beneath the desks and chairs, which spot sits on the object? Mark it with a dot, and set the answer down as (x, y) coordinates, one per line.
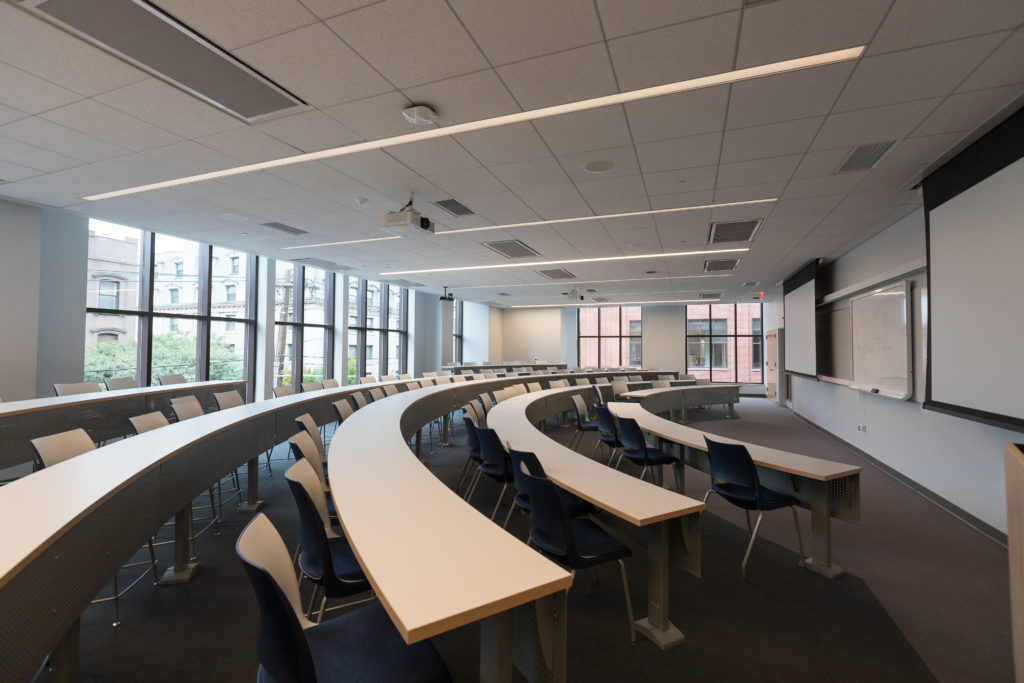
(925, 597)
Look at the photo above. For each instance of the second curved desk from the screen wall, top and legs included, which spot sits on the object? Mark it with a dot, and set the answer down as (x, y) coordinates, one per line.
(659, 513)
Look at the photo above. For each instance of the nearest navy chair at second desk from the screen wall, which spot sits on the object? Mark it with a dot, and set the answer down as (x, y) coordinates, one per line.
(575, 542)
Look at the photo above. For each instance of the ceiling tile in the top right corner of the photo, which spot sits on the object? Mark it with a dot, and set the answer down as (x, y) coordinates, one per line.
(913, 23)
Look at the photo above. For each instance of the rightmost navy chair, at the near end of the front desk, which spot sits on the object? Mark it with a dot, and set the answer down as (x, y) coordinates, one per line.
(735, 478)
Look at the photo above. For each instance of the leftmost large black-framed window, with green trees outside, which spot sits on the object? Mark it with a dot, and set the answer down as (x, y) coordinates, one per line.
(189, 308)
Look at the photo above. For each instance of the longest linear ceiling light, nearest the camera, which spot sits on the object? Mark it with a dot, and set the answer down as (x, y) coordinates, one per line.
(520, 117)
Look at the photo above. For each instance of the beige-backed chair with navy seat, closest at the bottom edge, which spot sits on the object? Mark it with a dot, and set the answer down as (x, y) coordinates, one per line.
(359, 646)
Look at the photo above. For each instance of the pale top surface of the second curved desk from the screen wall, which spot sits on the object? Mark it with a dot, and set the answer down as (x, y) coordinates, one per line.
(625, 496)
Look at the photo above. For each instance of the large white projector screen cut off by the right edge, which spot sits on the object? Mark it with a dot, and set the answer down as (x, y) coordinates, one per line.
(976, 273)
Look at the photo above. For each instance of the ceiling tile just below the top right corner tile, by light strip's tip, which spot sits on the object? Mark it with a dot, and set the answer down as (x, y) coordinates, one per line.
(916, 74)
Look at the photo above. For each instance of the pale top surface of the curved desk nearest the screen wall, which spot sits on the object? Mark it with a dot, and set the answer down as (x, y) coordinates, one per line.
(805, 466)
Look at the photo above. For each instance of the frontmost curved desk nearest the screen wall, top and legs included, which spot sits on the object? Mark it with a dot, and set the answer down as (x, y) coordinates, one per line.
(826, 488)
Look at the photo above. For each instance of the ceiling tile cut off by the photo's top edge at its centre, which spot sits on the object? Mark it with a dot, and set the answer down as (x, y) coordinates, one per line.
(514, 31)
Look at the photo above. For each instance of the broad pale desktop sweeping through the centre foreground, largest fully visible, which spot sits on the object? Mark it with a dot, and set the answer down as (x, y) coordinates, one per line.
(436, 563)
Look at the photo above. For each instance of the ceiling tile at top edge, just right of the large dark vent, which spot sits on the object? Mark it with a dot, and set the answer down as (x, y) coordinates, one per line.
(232, 24)
